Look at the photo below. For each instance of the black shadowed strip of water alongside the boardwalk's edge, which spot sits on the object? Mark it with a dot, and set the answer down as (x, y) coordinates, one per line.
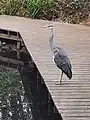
(39, 98)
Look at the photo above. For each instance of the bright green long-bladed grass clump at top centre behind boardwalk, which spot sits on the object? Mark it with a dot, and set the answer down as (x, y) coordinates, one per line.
(38, 8)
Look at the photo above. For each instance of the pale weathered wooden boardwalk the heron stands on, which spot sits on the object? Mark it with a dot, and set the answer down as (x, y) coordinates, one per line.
(72, 98)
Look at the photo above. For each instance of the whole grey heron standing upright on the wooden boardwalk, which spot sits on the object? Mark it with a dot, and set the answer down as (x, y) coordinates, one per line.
(60, 57)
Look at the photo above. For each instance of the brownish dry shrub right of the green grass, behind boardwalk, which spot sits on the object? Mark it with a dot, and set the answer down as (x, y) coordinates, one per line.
(74, 11)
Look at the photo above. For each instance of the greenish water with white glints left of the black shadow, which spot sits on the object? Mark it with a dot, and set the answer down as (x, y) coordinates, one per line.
(13, 101)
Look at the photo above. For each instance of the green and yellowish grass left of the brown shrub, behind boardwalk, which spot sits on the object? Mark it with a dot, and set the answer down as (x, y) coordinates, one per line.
(44, 9)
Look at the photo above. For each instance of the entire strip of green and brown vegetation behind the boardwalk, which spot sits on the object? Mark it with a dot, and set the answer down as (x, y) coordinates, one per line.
(72, 11)
